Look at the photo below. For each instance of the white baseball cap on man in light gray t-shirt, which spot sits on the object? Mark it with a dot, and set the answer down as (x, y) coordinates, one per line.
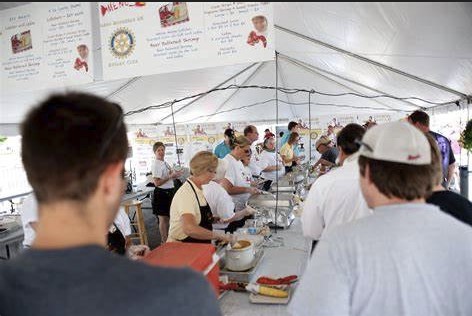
(396, 142)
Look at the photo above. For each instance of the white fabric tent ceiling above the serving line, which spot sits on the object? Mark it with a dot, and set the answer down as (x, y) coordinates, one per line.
(430, 41)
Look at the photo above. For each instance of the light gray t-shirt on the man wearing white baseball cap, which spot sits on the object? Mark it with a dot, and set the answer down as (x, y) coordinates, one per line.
(407, 259)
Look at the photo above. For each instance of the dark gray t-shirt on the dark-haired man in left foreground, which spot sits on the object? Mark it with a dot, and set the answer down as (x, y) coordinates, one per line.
(90, 281)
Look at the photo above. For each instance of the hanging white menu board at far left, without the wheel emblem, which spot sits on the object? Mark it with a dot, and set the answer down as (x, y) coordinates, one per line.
(45, 45)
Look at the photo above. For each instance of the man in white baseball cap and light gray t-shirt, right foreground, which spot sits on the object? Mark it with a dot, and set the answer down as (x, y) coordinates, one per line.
(408, 258)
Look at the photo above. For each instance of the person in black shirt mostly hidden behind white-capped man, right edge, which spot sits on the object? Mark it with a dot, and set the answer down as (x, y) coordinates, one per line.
(450, 202)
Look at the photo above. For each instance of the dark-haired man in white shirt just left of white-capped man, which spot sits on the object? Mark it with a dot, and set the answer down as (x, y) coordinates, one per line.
(336, 197)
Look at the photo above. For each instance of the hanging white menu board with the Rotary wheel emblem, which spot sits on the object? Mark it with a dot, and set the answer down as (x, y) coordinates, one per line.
(144, 38)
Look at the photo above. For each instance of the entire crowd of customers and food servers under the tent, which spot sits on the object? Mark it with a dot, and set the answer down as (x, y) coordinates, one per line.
(388, 238)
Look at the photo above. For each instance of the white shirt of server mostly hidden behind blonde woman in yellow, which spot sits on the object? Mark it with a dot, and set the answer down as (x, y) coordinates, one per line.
(220, 202)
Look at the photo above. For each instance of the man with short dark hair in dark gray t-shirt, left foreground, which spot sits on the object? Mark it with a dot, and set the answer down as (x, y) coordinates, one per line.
(73, 149)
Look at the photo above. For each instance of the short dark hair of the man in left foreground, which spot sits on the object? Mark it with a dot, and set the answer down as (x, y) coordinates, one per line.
(68, 140)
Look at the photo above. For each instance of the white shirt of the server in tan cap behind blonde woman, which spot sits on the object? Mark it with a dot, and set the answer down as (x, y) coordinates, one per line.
(237, 175)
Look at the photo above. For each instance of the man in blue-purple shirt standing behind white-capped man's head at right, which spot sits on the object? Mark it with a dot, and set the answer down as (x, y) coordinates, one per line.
(420, 120)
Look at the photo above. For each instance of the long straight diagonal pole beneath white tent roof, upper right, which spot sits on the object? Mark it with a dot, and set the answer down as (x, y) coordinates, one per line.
(372, 62)
